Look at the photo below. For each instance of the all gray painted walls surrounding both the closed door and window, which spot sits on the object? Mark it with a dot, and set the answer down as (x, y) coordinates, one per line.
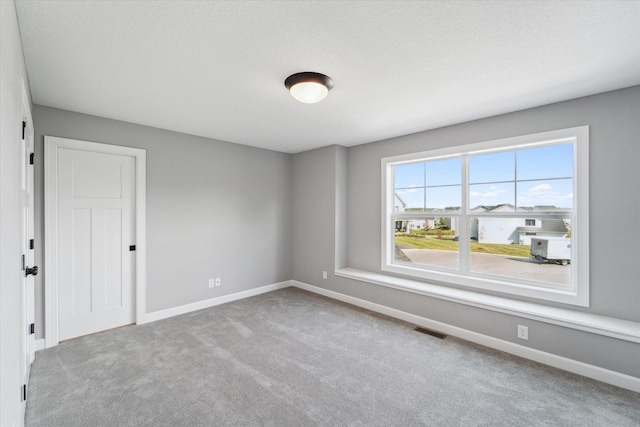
(320, 209)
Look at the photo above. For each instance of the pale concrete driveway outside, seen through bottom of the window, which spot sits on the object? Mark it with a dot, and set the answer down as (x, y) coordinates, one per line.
(503, 265)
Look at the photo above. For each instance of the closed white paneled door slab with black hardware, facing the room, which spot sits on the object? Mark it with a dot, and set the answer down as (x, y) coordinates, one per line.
(96, 227)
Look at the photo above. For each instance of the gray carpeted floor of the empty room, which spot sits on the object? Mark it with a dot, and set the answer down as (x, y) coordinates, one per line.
(292, 358)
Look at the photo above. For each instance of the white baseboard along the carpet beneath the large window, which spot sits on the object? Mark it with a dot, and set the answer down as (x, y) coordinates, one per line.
(590, 371)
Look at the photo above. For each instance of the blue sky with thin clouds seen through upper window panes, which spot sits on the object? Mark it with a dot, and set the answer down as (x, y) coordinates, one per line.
(535, 176)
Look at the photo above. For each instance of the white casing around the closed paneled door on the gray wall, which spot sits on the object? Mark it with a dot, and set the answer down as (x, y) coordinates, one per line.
(51, 146)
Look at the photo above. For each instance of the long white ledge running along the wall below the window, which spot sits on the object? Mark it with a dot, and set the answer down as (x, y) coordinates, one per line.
(607, 326)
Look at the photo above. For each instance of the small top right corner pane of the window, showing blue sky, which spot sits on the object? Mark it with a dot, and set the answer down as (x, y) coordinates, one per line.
(553, 161)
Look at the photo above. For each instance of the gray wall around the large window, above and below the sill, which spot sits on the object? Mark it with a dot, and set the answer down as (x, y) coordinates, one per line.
(614, 226)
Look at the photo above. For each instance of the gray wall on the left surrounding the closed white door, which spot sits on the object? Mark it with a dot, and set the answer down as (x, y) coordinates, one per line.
(214, 209)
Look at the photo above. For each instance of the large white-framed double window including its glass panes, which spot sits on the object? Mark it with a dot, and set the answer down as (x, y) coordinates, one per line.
(509, 215)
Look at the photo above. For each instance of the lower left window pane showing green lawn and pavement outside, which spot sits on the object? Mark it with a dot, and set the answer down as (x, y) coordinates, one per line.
(429, 242)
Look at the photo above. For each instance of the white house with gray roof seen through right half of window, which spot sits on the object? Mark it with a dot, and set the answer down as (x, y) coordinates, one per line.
(516, 230)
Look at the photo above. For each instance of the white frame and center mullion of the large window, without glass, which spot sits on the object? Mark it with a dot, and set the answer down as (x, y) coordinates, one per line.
(576, 293)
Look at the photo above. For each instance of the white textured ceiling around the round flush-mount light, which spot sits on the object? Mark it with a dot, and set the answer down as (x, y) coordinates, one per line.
(217, 69)
